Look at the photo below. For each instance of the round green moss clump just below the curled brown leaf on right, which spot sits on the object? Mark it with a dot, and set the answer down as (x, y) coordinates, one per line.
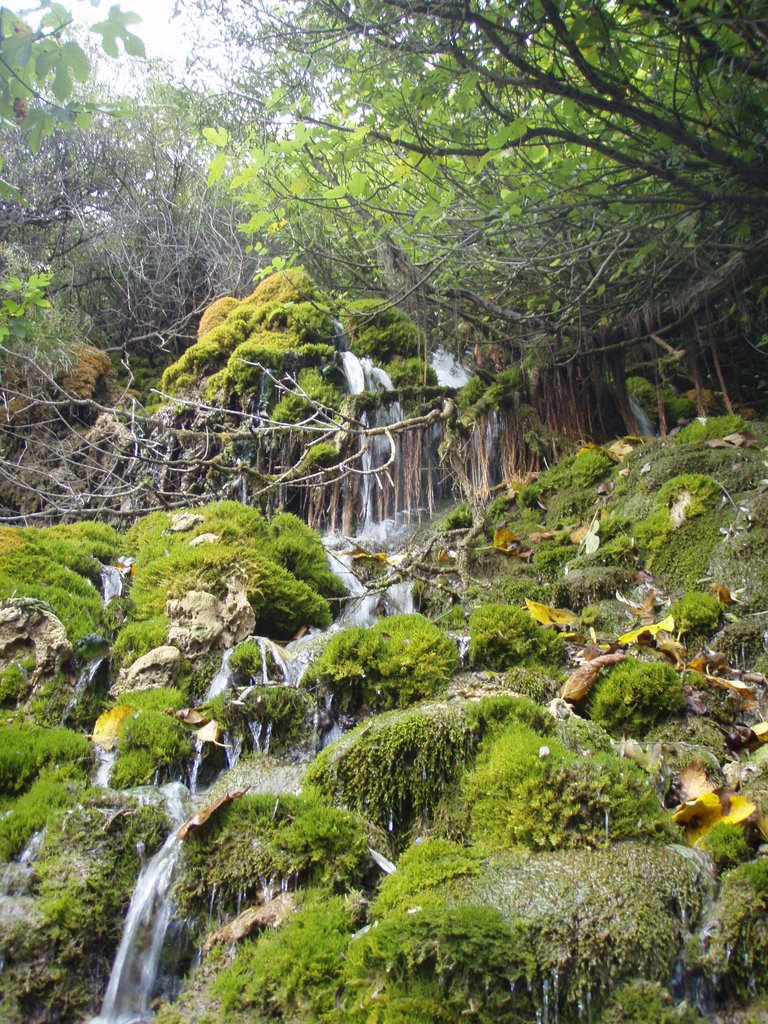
(634, 696)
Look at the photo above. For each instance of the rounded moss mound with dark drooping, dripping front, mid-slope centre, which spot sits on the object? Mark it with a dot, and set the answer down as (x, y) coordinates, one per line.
(396, 769)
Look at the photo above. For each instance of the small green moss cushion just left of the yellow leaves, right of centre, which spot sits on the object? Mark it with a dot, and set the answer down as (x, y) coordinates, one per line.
(502, 636)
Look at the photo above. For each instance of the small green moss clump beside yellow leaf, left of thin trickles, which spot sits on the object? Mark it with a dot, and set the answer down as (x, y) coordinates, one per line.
(151, 745)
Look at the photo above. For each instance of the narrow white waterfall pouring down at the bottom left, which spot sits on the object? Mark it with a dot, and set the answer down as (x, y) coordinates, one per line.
(138, 962)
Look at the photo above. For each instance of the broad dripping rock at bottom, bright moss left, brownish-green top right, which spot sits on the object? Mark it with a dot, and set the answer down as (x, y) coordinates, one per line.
(557, 931)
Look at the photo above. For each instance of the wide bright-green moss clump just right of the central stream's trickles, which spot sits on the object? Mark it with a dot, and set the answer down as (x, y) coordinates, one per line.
(402, 660)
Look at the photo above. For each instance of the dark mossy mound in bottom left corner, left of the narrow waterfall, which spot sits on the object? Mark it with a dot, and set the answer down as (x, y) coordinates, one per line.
(60, 957)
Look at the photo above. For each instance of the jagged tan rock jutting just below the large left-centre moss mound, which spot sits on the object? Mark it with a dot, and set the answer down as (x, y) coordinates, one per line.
(200, 622)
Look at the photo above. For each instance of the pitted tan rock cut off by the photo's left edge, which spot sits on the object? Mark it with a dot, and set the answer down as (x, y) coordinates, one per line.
(30, 627)
